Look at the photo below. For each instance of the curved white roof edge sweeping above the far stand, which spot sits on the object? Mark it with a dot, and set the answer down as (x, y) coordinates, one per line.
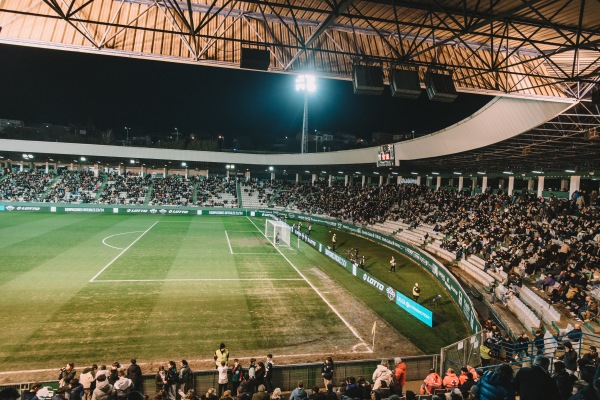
(501, 119)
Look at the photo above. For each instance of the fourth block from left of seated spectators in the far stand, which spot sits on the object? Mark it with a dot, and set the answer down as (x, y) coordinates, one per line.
(173, 190)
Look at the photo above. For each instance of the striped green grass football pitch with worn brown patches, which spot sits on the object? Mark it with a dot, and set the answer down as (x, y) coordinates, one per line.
(99, 288)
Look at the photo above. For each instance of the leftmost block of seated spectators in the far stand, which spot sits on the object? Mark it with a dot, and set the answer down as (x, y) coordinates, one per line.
(25, 185)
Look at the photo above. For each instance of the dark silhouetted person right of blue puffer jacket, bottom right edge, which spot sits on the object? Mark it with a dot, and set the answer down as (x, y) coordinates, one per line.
(533, 383)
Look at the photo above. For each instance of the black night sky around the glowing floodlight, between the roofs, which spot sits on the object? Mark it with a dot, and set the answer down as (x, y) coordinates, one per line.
(112, 92)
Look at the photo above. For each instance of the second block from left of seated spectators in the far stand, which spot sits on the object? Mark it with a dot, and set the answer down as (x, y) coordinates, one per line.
(74, 187)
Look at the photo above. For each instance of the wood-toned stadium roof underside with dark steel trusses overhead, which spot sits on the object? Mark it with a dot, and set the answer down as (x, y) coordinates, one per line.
(540, 49)
